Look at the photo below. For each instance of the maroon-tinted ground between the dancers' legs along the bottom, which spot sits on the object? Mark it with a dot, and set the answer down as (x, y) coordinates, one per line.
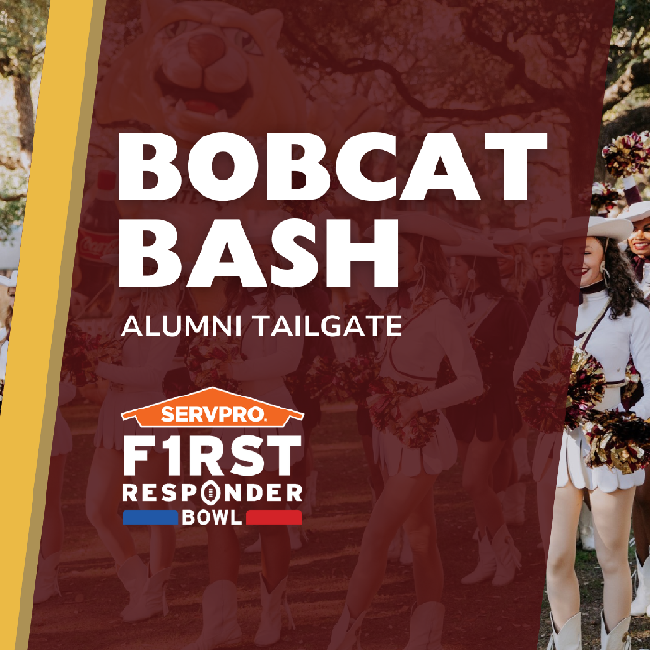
(86, 616)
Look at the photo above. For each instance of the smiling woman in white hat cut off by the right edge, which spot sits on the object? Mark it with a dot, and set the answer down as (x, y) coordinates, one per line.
(638, 252)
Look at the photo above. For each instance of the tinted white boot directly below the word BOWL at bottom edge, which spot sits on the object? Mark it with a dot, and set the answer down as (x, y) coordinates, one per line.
(220, 627)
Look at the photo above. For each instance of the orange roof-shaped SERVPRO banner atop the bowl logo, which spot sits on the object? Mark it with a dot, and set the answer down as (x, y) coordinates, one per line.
(212, 407)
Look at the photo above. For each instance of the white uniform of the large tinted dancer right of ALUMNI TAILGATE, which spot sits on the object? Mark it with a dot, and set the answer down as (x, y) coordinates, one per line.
(415, 356)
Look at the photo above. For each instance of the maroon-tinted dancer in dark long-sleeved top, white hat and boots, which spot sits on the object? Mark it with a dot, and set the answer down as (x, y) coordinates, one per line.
(497, 322)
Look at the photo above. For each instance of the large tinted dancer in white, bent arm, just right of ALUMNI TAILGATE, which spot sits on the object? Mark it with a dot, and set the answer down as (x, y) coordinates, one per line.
(432, 328)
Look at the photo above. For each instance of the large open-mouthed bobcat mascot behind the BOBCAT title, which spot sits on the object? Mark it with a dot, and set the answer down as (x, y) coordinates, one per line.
(203, 67)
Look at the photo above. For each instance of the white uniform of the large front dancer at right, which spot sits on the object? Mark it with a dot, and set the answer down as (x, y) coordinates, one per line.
(611, 343)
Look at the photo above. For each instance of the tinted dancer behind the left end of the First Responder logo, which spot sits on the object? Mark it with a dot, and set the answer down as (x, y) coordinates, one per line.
(137, 382)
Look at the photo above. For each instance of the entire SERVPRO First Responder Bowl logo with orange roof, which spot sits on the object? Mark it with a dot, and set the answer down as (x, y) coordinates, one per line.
(212, 409)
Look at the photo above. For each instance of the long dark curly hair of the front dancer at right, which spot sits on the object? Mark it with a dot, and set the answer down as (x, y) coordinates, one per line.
(621, 283)
